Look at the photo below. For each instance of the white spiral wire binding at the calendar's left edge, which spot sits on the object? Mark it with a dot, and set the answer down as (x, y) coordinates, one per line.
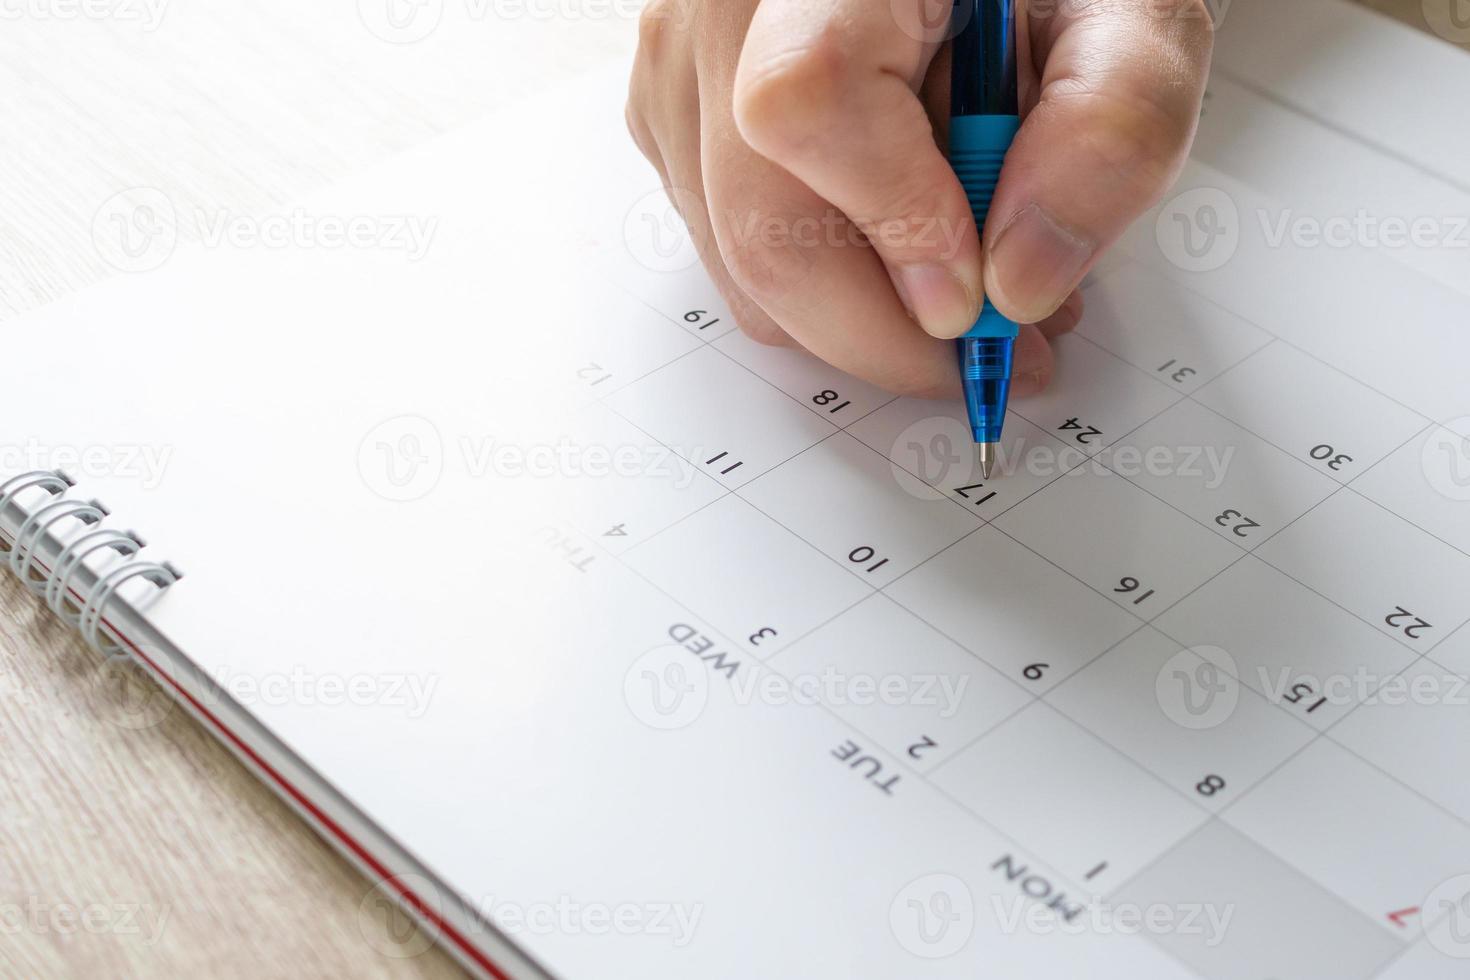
(60, 584)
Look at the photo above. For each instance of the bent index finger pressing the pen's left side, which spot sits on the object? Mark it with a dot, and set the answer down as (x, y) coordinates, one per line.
(828, 93)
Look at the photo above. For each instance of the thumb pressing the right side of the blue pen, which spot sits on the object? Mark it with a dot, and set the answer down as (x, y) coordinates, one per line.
(1119, 107)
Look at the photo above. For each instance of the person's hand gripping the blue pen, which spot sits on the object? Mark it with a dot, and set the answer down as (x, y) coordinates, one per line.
(800, 134)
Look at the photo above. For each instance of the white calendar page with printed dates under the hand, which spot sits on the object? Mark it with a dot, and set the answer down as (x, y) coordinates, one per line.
(689, 657)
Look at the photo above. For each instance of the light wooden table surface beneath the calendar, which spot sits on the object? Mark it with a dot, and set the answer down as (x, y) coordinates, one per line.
(142, 849)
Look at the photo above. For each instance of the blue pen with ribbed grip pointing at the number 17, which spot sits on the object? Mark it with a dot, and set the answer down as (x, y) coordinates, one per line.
(984, 118)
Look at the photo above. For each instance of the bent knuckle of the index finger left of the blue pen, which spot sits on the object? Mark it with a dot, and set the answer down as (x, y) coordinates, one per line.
(792, 98)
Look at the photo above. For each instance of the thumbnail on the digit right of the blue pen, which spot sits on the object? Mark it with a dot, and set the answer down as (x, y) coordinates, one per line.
(1036, 265)
